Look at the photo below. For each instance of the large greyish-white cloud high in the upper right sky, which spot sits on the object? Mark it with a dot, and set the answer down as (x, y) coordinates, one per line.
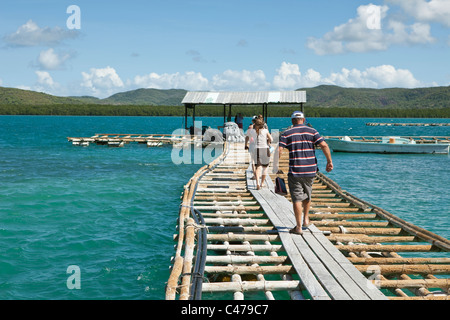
(371, 30)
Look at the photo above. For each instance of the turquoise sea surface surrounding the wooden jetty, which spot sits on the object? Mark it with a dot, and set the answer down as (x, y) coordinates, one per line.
(97, 222)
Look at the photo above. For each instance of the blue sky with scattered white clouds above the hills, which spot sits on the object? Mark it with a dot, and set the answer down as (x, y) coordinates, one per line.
(222, 45)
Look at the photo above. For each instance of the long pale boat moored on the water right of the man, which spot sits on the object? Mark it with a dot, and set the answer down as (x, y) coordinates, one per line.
(387, 145)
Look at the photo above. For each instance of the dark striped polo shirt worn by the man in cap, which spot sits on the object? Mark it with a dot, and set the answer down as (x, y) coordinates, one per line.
(300, 141)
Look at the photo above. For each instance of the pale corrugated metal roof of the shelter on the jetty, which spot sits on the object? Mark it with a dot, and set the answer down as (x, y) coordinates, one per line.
(255, 97)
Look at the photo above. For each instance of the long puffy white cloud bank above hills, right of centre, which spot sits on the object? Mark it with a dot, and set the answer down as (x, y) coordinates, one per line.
(289, 77)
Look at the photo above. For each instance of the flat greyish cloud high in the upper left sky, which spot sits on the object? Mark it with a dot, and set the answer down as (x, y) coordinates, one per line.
(30, 34)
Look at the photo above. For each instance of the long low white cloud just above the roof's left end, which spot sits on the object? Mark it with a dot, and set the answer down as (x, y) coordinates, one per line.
(189, 80)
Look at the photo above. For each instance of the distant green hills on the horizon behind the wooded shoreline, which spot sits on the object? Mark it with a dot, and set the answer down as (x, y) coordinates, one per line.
(324, 96)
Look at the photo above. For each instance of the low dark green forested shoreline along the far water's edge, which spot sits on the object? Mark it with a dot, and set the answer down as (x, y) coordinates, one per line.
(216, 111)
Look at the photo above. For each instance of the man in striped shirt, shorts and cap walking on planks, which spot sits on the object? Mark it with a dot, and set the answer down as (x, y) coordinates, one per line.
(300, 141)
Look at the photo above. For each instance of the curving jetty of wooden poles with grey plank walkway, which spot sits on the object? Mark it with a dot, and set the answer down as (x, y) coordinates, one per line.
(233, 243)
